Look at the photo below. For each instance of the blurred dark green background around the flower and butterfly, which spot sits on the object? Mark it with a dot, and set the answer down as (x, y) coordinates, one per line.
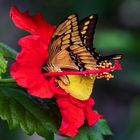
(118, 31)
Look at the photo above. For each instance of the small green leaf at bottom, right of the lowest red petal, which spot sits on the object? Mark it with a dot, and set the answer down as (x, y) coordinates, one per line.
(93, 133)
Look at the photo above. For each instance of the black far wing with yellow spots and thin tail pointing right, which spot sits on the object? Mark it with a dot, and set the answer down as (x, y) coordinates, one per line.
(87, 29)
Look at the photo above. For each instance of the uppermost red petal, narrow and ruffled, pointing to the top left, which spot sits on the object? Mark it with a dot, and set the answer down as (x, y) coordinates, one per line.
(35, 25)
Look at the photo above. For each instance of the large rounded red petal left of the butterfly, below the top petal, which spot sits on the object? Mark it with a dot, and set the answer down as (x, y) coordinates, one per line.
(27, 68)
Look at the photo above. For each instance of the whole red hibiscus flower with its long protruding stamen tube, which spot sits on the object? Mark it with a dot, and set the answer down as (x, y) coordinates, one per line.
(27, 71)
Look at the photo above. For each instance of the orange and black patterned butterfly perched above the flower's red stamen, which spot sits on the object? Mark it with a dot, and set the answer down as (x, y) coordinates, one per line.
(71, 46)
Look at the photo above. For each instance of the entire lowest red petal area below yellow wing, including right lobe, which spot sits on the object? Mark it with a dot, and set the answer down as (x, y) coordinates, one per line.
(74, 112)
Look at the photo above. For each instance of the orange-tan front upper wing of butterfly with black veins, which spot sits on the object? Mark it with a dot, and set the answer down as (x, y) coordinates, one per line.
(66, 36)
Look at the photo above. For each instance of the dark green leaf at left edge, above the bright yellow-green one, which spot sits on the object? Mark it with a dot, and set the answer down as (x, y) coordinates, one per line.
(7, 51)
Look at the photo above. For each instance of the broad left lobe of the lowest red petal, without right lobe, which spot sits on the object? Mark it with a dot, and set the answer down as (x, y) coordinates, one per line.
(72, 116)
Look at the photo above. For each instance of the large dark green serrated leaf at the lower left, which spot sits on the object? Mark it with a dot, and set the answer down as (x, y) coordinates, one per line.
(21, 110)
